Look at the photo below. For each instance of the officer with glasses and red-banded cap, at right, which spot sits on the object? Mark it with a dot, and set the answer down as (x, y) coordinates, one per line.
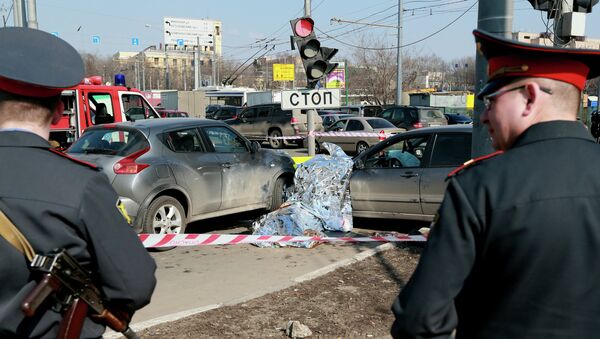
(514, 250)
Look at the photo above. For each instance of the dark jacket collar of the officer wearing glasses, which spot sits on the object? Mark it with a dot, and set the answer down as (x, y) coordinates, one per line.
(557, 129)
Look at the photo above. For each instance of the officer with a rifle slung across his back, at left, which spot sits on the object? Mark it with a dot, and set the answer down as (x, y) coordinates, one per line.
(53, 200)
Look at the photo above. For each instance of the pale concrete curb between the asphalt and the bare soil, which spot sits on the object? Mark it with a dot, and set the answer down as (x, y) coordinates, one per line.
(308, 276)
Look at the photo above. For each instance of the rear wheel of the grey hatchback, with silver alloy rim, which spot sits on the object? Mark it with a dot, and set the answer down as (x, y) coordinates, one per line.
(165, 215)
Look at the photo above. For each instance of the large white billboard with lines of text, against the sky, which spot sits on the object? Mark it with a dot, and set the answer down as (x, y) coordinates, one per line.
(181, 31)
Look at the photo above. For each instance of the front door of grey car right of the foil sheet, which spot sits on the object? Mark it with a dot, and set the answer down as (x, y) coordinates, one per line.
(383, 187)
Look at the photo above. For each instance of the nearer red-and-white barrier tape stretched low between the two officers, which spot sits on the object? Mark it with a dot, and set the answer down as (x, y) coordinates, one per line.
(168, 240)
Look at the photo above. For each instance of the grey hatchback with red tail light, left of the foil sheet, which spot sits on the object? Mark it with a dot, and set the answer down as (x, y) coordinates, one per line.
(168, 172)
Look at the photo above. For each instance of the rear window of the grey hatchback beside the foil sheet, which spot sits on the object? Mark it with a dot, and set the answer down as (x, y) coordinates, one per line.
(109, 141)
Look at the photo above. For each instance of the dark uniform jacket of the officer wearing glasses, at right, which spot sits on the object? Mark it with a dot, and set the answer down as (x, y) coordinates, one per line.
(516, 250)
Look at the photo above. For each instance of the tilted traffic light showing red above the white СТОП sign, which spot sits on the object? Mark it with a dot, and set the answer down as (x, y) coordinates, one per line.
(316, 59)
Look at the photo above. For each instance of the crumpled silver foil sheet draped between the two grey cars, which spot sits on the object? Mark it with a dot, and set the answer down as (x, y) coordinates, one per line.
(320, 200)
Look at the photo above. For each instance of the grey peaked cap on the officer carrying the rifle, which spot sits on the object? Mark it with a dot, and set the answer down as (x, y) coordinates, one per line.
(37, 64)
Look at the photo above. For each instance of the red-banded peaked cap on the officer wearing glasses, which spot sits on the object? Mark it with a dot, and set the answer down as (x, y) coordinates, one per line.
(509, 60)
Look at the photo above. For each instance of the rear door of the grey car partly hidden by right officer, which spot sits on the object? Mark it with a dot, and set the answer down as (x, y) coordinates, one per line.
(449, 151)
